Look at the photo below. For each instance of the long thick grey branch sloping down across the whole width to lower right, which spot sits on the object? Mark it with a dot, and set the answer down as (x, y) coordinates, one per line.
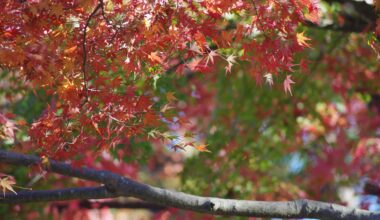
(123, 186)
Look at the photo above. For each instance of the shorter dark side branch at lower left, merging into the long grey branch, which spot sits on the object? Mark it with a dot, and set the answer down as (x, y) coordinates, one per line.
(58, 195)
